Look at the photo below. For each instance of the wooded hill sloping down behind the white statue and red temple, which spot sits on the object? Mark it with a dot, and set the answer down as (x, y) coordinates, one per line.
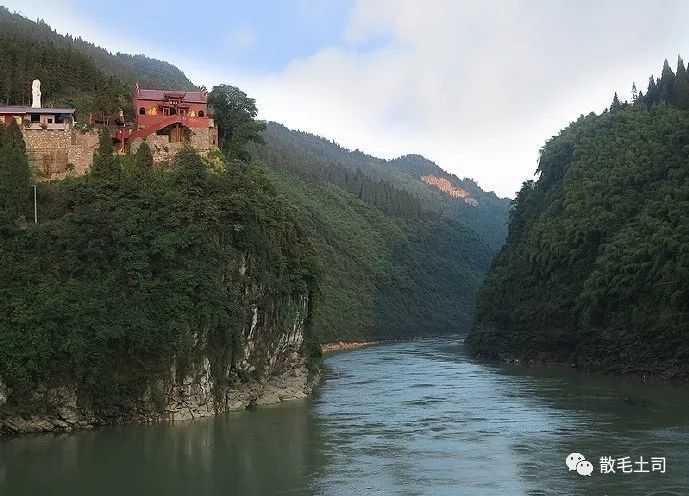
(73, 71)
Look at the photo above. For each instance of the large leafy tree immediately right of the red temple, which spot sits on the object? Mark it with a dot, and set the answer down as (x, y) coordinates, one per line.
(235, 115)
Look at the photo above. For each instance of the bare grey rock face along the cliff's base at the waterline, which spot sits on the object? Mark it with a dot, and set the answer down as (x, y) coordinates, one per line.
(271, 367)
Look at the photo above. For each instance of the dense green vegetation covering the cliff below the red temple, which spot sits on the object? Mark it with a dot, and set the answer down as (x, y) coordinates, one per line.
(133, 270)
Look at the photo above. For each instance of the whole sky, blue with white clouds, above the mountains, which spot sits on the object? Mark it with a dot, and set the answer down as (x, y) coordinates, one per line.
(476, 86)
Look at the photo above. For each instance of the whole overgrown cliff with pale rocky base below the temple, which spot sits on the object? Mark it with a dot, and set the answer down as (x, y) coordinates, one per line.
(146, 295)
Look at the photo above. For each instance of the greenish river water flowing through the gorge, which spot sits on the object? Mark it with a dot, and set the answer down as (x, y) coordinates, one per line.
(414, 418)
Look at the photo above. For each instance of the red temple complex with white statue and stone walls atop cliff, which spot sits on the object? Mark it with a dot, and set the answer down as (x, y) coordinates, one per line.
(168, 120)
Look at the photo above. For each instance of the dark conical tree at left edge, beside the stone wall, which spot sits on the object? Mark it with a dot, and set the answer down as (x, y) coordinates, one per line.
(15, 173)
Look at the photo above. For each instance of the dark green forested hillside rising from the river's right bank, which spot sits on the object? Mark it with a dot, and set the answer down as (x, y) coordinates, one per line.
(595, 270)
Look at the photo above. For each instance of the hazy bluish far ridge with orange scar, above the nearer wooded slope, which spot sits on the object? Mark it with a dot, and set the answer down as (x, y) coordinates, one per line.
(406, 177)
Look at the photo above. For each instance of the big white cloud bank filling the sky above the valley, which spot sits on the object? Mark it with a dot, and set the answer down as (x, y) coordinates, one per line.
(478, 87)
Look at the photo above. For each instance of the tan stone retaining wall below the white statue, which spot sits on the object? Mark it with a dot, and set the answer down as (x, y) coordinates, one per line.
(58, 153)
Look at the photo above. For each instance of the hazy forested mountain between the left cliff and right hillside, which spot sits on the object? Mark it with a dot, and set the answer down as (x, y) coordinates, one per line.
(398, 257)
